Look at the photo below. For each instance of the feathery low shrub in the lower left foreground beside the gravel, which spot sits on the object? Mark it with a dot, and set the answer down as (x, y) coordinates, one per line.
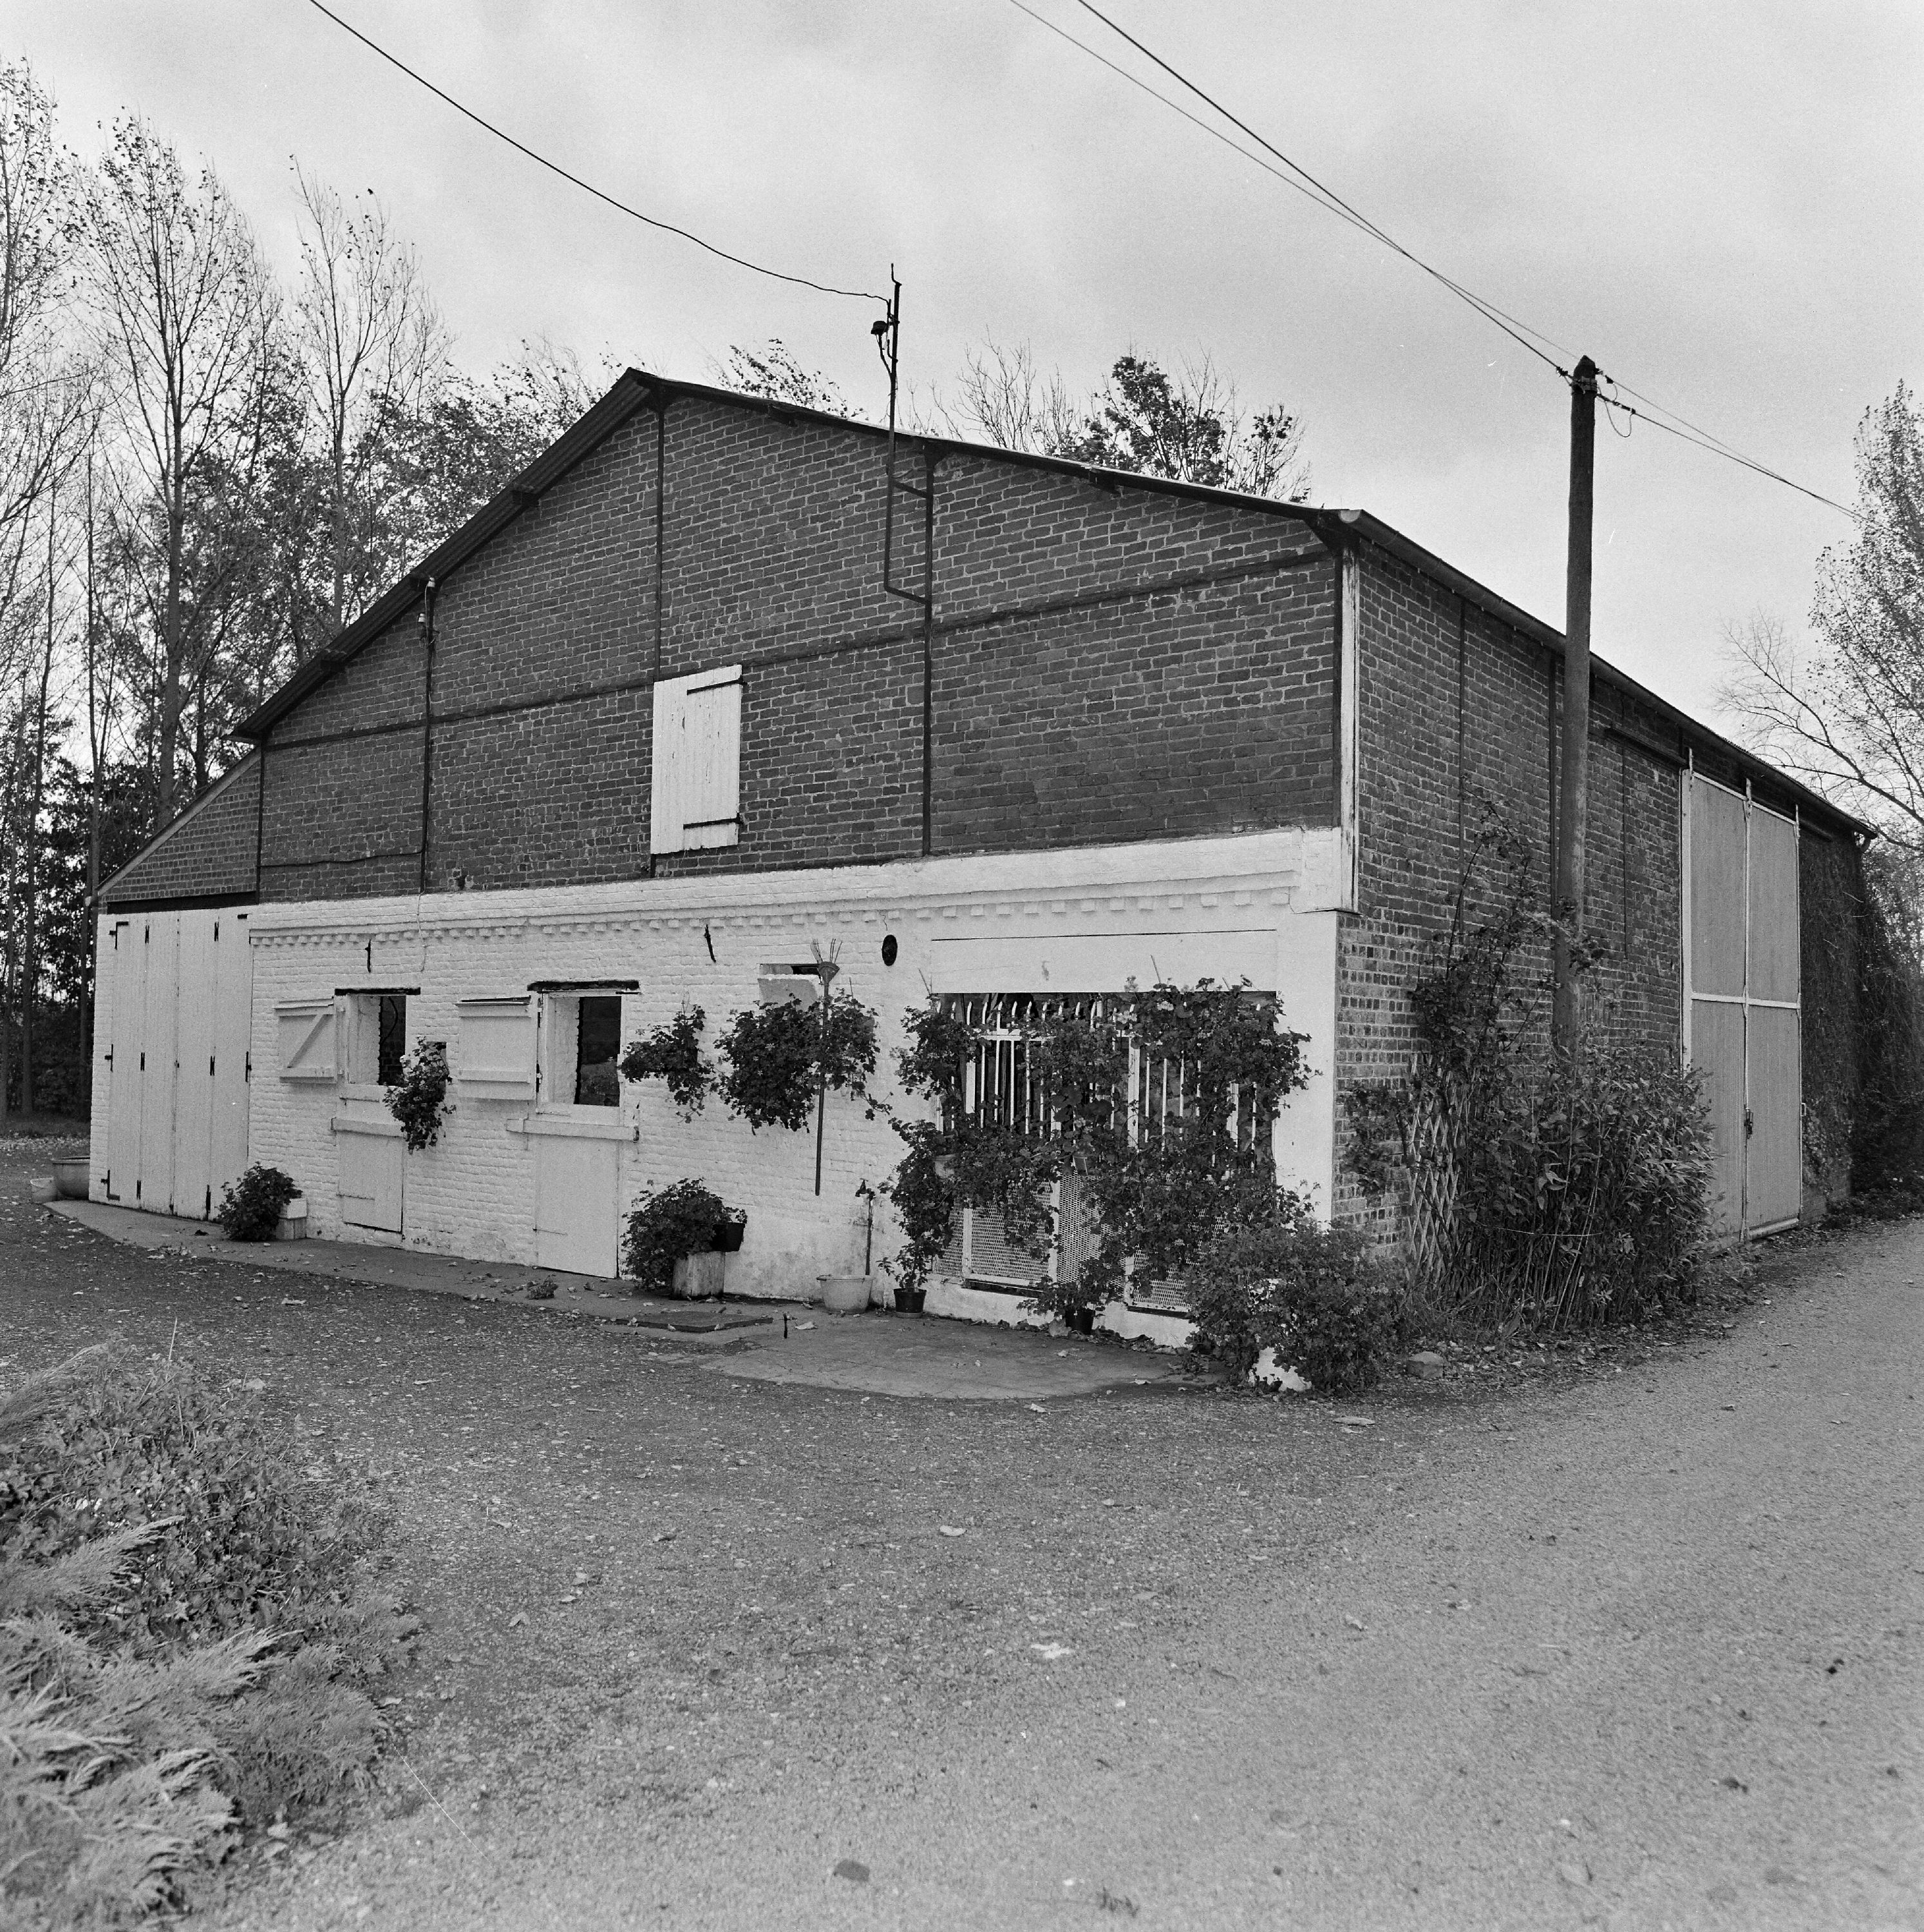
(190, 1620)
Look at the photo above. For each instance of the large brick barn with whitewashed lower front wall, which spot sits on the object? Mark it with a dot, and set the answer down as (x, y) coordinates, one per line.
(654, 729)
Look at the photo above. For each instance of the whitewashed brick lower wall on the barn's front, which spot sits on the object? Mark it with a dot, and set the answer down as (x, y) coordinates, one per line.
(1085, 921)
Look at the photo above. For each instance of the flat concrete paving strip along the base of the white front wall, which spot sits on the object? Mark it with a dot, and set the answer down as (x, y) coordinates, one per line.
(799, 1344)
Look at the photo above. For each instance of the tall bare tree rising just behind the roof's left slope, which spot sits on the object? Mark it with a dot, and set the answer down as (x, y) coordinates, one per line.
(372, 349)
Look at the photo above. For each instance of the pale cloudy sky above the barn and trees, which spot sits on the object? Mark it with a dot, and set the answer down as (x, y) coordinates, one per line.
(1720, 202)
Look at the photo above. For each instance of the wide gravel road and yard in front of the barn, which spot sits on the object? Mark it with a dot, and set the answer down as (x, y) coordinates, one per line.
(1635, 1649)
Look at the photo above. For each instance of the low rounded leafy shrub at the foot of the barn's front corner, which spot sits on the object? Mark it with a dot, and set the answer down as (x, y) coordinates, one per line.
(1303, 1290)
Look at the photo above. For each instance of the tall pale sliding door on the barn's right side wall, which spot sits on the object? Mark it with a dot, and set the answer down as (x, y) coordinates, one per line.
(1743, 1025)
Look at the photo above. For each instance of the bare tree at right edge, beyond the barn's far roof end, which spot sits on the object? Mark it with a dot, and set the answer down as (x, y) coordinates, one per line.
(1848, 712)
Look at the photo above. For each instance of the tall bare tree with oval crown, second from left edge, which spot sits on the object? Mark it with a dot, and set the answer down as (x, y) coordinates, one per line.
(186, 318)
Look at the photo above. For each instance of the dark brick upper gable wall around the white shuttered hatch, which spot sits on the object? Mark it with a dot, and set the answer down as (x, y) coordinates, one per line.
(1110, 666)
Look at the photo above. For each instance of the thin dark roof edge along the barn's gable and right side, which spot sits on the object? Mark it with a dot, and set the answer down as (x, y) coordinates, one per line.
(640, 389)
